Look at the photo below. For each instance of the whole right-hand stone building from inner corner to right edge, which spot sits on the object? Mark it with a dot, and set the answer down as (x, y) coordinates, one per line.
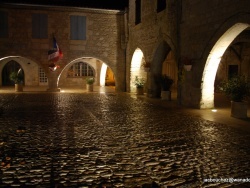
(213, 36)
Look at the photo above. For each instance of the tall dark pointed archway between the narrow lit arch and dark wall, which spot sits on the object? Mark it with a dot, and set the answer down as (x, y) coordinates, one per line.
(160, 55)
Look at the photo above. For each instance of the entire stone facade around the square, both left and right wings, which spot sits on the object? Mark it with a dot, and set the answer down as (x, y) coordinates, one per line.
(211, 35)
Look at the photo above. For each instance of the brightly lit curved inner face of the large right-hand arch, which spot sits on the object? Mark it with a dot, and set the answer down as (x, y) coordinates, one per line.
(212, 63)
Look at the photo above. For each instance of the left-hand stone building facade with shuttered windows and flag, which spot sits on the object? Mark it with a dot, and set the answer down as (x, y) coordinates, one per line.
(103, 44)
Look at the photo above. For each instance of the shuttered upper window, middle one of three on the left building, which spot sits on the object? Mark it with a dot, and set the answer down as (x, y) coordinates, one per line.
(39, 26)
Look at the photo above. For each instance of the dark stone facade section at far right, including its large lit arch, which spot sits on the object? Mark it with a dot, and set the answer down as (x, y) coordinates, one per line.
(209, 31)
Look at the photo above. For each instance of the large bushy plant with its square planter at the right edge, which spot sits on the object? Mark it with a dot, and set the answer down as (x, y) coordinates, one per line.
(237, 89)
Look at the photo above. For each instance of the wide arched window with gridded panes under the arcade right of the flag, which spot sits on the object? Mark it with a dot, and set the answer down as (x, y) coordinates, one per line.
(80, 69)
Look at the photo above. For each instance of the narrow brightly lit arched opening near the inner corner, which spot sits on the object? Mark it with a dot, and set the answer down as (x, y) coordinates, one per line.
(136, 68)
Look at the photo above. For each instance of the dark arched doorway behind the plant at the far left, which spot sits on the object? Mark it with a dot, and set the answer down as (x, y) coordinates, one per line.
(11, 66)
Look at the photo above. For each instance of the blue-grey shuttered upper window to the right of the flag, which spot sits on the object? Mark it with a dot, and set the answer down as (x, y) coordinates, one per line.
(78, 27)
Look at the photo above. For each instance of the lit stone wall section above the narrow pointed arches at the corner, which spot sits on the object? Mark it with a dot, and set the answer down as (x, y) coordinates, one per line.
(157, 29)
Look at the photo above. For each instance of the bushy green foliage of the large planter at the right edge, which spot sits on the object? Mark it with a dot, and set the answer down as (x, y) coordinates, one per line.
(237, 88)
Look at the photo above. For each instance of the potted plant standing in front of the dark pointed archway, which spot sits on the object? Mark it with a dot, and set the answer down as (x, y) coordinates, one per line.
(166, 83)
